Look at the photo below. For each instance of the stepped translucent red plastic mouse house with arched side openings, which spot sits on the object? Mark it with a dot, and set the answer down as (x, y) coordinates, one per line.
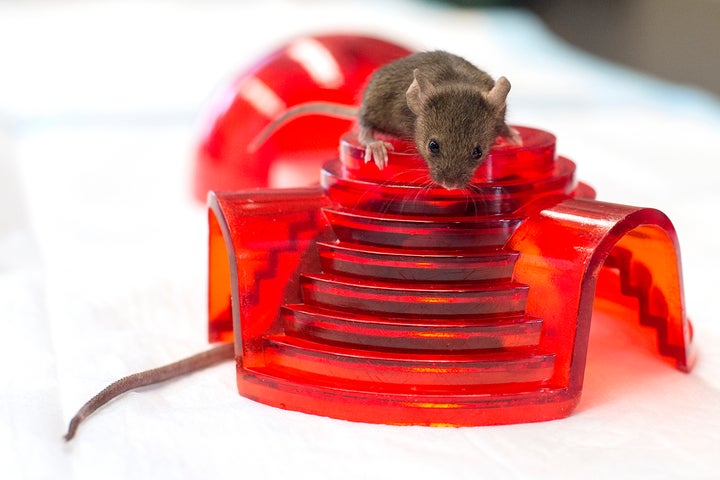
(379, 297)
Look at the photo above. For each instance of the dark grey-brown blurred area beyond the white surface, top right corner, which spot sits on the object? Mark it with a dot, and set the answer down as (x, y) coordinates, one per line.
(675, 40)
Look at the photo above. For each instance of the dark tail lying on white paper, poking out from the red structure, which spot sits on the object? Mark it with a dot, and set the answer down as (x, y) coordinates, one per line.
(187, 365)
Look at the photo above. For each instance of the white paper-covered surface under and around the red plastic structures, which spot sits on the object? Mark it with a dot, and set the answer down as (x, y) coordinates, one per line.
(103, 249)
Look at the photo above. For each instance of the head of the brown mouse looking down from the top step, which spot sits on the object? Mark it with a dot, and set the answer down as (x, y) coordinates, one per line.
(455, 126)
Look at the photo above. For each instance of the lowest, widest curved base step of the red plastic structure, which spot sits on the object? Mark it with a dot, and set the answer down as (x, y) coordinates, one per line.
(406, 404)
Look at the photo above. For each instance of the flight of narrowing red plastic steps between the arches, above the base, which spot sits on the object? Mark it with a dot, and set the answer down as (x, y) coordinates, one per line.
(429, 314)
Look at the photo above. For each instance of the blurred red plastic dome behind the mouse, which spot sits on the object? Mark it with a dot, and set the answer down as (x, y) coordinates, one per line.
(331, 68)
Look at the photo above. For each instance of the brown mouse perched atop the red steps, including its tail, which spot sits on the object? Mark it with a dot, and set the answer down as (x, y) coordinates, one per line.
(448, 107)
